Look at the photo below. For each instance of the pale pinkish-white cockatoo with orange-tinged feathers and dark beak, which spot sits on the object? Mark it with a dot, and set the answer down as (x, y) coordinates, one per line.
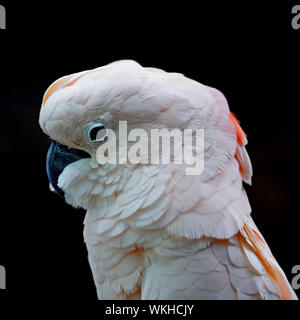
(151, 230)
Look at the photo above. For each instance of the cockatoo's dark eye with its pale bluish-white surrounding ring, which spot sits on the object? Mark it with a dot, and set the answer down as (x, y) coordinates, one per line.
(95, 134)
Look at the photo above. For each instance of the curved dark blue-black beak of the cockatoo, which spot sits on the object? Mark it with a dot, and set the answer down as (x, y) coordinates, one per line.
(58, 157)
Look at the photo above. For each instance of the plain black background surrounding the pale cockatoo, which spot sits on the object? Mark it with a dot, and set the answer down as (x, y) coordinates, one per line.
(248, 51)
